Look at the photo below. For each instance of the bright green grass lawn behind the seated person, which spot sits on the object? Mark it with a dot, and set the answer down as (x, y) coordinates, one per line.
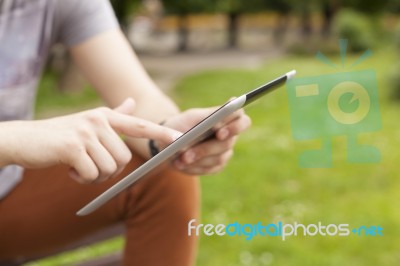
(263, 181)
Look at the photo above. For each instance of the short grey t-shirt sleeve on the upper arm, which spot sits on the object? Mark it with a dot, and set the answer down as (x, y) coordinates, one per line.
(79, 20)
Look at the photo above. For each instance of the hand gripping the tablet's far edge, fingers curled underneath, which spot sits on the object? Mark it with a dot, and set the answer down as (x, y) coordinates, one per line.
(210, 156)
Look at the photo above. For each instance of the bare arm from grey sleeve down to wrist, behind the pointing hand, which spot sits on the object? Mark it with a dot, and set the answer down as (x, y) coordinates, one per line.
(111, 66)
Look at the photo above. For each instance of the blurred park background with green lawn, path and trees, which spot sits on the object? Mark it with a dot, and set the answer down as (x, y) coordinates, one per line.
(203, 52)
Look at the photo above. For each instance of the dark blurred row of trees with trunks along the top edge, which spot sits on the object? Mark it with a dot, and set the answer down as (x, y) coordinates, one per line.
(234, 9)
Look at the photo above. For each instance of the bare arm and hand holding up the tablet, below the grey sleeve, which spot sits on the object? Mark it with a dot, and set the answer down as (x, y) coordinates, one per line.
(111, 66)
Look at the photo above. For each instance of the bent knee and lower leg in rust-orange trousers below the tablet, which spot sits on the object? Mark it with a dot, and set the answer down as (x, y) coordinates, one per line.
(156, 226)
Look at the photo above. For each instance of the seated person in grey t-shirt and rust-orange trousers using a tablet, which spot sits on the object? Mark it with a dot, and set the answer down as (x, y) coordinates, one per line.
(38, 157)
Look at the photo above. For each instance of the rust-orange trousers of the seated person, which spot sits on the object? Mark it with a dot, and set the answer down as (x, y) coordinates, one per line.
(38, 217)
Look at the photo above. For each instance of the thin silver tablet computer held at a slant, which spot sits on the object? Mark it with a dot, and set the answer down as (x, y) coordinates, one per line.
(199, 132)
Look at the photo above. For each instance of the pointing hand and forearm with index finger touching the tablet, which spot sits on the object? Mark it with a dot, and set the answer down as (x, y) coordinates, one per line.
(88, 142)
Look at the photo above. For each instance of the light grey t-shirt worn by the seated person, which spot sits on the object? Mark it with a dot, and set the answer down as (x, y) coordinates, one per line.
(28, 28)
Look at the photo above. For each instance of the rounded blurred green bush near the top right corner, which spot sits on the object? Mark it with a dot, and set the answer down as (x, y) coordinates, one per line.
(356, 28)
